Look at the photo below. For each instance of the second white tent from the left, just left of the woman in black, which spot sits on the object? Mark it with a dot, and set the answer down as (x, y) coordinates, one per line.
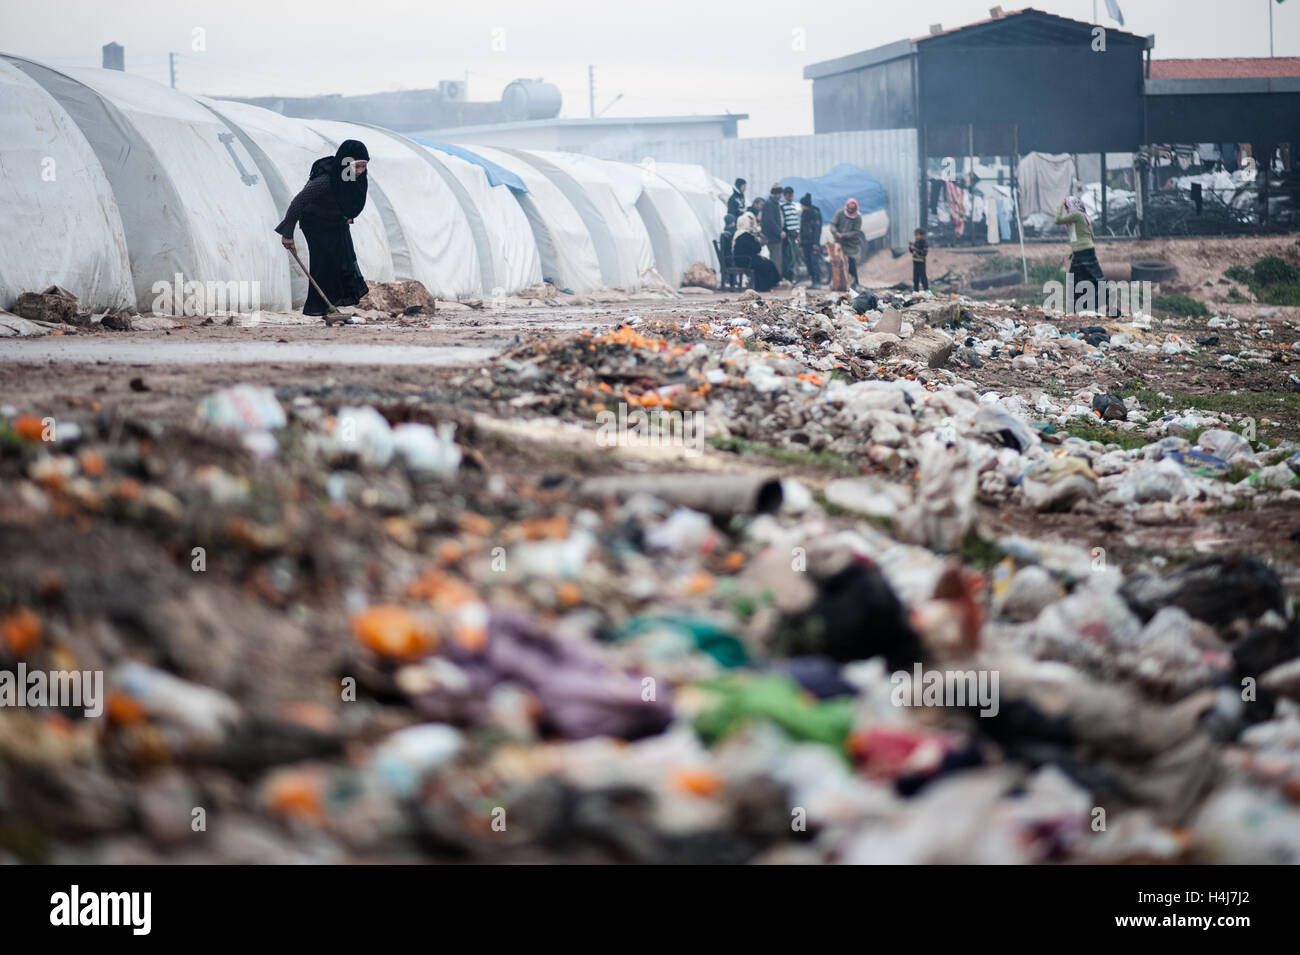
(192, 201)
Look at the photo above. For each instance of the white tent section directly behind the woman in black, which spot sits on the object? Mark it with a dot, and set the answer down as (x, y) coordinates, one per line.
(285, 150)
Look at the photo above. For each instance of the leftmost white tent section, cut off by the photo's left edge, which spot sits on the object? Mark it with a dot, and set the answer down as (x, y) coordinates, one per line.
(62, 220)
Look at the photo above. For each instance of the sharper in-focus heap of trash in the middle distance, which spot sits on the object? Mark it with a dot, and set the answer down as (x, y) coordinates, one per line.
(885, 389)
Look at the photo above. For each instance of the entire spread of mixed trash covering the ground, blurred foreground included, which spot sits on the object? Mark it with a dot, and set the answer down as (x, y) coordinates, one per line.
(339, 628)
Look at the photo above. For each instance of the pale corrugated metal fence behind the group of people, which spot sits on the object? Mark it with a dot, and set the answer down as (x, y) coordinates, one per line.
(889, 155)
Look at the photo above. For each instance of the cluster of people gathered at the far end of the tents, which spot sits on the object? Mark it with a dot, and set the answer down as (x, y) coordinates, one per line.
(788, 231)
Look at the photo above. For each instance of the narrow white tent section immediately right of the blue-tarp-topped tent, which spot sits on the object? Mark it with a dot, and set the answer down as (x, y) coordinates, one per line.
(565, 245)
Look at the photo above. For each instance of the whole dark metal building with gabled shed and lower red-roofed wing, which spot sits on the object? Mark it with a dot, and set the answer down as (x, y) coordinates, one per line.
(1029, 81)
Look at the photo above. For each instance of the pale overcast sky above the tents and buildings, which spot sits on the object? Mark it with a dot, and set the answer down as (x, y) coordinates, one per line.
(666, 58)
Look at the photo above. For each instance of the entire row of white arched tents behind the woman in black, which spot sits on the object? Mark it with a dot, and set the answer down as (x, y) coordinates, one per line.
(114, 184)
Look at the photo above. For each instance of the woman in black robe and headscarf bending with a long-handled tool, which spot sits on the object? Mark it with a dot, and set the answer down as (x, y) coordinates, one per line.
(332, 199)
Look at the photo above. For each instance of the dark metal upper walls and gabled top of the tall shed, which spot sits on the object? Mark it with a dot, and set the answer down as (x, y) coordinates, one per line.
(1016, 83)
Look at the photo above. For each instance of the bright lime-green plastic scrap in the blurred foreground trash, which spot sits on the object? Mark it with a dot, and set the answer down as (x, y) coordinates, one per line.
(743, 700)
